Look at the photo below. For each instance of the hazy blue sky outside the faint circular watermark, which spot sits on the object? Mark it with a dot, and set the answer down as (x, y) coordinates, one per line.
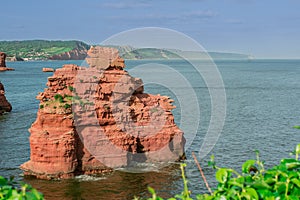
(263, 28)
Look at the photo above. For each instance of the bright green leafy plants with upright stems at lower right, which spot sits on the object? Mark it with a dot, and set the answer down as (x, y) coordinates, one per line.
(280, 182)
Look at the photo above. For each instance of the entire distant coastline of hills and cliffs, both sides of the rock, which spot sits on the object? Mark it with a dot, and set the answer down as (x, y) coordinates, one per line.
(30, 50)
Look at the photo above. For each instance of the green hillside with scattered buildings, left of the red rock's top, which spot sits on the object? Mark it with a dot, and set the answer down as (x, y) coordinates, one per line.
(39, 49)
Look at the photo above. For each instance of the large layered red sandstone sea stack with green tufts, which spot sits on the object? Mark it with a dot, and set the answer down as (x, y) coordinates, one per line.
(94, 119)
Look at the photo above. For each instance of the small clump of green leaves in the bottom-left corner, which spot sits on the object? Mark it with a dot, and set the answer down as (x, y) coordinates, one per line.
(8, 190)
